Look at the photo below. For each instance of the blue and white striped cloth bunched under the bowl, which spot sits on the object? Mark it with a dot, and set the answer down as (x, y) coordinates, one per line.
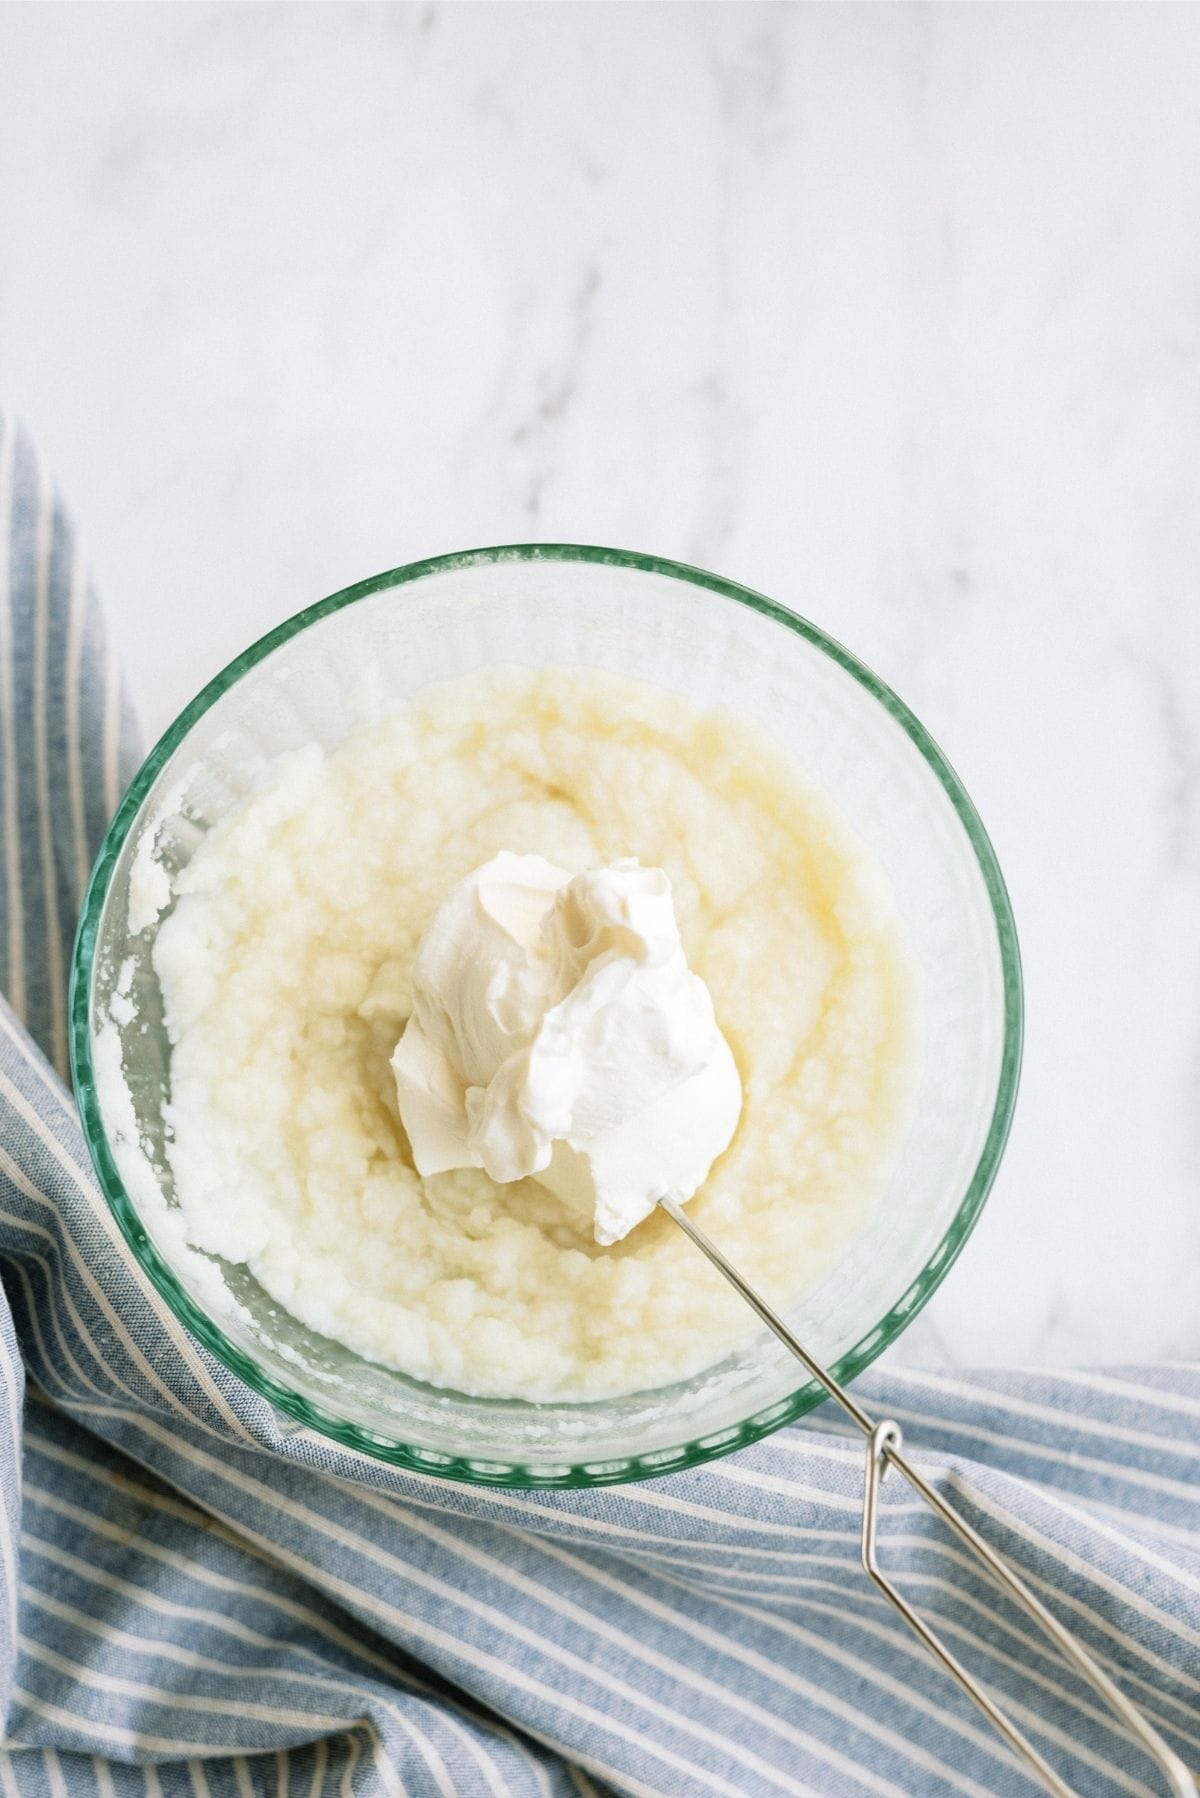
(201, 1603)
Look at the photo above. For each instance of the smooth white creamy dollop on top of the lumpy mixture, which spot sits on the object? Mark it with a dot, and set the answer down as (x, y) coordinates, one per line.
(559, 1033)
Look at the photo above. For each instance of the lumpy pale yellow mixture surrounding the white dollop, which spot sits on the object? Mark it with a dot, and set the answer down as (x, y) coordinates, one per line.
(287, 979)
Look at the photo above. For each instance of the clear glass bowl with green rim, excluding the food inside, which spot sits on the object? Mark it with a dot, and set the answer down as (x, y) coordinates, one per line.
(553, 605)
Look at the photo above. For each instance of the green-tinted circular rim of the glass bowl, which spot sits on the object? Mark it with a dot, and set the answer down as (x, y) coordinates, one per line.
(584, 1473)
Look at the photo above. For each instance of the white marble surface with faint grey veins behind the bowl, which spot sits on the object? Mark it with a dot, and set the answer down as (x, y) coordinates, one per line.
(890, 312)
